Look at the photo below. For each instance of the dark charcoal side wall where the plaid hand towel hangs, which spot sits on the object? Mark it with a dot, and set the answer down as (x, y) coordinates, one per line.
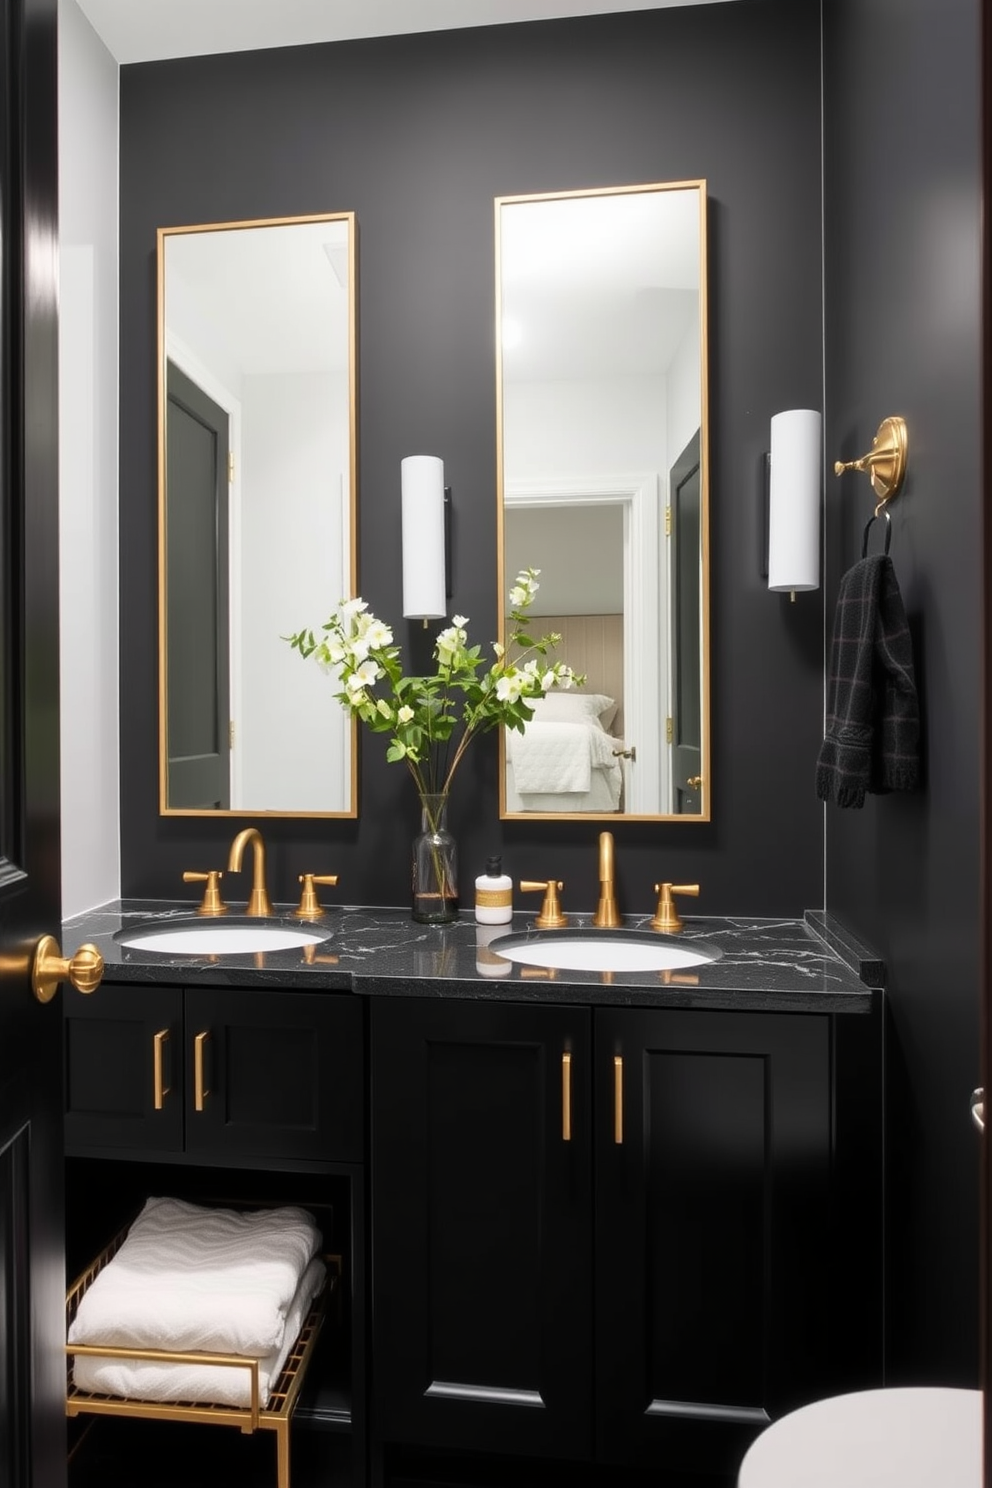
(904, 337)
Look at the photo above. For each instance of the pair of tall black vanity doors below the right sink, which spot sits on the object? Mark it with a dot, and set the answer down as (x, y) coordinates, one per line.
(599, 1234)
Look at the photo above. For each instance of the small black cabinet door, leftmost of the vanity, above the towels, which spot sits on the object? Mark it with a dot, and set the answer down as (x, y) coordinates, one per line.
(124, 1071)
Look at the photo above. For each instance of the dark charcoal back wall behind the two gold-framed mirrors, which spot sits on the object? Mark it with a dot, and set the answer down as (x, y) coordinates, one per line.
(417, 135)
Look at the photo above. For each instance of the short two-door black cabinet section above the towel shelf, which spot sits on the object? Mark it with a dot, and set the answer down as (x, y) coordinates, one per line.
(215, 1075)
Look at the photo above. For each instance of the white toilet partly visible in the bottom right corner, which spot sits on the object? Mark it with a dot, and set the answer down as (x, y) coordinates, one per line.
(895, 1438)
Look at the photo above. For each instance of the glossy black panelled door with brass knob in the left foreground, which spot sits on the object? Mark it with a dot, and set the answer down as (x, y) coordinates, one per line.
(32, 1266)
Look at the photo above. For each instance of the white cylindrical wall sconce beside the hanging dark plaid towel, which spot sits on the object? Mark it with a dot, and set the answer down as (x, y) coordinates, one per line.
(795, 481)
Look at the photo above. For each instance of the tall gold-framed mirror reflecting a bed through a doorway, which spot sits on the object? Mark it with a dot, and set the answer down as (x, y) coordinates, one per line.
(603, 486)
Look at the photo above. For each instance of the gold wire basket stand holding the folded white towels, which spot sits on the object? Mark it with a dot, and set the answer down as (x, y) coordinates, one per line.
(276, 1416)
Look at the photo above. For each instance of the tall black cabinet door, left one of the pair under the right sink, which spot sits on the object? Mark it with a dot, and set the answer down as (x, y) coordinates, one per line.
(483, 1257)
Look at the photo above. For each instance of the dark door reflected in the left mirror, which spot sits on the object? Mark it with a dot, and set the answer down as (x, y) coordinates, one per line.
(197, 644)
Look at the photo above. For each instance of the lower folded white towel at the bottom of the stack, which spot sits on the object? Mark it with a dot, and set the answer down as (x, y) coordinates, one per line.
(202, 1385)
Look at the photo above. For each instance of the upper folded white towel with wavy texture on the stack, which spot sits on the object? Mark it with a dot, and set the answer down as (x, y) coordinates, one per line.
(197, 1279)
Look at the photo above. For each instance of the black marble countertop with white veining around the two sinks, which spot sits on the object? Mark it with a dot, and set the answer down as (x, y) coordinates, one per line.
(807, 965)
